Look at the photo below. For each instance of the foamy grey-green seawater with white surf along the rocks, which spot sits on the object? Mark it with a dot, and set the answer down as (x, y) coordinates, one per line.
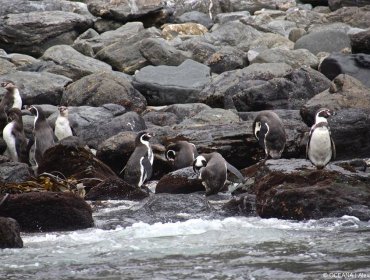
(230, 248)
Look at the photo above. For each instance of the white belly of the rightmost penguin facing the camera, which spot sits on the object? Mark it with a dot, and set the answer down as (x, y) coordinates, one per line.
(319, 151)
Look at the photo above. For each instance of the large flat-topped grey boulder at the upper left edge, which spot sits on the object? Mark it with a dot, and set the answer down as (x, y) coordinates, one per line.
(32, 33)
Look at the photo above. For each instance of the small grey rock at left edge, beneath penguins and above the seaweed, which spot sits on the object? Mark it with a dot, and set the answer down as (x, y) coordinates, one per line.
(14, 172)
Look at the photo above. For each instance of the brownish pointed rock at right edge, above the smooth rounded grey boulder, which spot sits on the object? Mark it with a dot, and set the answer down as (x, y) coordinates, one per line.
(354, 16)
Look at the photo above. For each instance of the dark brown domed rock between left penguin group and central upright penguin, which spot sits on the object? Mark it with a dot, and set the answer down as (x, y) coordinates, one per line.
(77, 162)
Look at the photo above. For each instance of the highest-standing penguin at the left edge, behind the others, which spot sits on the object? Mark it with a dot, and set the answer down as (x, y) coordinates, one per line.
(11, 99)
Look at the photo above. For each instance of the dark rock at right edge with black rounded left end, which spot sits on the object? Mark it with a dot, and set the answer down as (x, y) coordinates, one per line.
(355, 65)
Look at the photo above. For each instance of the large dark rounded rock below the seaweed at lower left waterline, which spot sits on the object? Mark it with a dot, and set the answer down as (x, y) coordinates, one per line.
(48, 211)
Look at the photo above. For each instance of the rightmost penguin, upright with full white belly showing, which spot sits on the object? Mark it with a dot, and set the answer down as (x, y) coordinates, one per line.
(320, 147)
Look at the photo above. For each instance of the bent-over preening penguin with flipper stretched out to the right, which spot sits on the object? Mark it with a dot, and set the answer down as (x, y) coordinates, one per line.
(212, 169)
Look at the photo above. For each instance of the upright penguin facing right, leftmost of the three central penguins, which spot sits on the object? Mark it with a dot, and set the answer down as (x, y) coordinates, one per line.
(139, 166)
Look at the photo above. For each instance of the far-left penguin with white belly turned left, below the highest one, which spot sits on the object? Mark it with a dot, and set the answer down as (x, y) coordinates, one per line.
(14, 137)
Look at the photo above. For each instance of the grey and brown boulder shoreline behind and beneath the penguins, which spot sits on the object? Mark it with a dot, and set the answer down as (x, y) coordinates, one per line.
(198, 71)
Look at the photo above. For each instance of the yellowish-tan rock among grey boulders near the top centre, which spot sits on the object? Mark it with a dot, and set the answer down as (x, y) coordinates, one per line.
(170, 31)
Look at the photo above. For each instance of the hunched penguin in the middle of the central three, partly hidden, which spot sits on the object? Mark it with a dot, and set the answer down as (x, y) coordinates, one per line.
(181, 154)
